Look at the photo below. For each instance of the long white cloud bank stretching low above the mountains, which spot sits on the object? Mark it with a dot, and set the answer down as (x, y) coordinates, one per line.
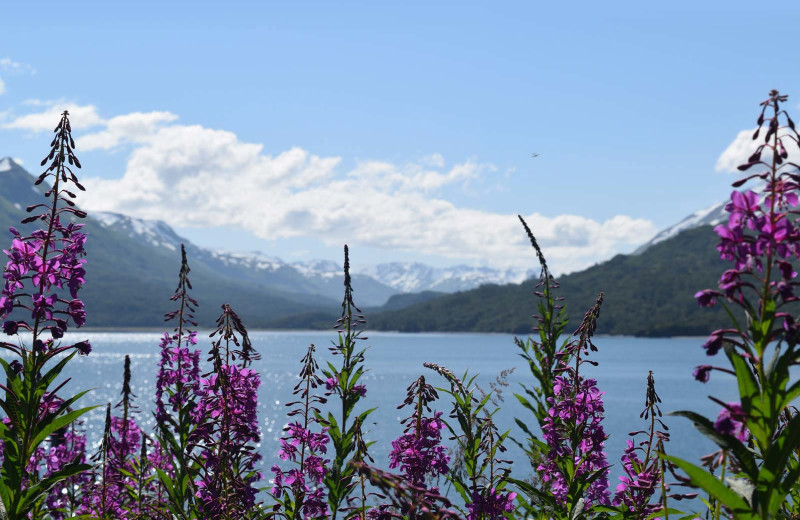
(193, 176)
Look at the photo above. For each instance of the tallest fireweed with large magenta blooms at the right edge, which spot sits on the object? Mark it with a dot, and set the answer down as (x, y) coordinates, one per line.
(761, 431)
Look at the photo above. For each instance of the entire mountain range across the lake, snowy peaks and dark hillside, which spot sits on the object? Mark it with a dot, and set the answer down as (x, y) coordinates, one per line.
(133, 266)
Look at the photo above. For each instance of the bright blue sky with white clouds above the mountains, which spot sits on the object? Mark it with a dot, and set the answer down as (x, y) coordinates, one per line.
(404, 129)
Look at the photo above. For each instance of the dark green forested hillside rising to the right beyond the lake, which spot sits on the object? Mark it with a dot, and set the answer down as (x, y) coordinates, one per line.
(646, 294)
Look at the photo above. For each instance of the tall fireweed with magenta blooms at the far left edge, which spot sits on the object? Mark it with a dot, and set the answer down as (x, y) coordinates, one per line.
(42, 277)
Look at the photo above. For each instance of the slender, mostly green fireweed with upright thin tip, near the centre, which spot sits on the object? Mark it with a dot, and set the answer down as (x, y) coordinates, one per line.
(344, 381)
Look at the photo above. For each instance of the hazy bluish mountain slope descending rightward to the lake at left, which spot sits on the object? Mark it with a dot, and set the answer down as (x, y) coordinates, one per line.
(132, 269)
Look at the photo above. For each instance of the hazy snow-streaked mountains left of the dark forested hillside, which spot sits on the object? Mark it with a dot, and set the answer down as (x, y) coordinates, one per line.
(134, 264)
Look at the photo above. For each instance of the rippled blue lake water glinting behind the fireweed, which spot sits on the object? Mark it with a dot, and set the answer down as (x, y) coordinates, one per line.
(395, 360)
